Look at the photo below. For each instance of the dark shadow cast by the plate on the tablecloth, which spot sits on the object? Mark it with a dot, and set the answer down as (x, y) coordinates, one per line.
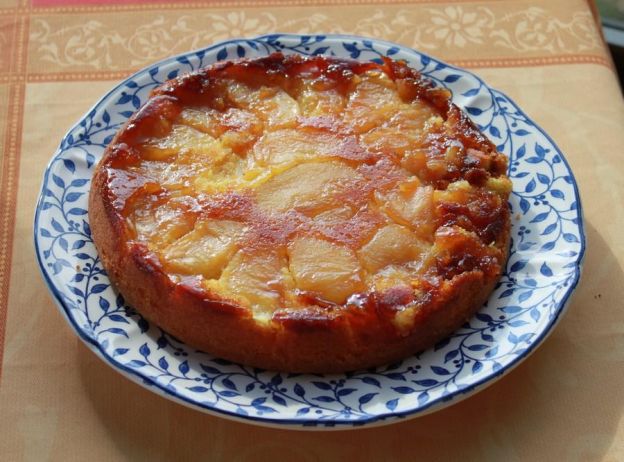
(564, 402)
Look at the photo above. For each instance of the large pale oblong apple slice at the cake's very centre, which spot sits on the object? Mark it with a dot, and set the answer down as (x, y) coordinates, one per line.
(306, 186)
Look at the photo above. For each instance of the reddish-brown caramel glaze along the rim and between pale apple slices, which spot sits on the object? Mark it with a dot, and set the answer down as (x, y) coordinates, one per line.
(463, 213)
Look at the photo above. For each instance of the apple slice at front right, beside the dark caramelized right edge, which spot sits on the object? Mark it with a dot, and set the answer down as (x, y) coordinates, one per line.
(392, 245)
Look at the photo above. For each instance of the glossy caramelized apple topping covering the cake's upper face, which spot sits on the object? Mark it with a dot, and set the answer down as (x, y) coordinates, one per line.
(291, 183)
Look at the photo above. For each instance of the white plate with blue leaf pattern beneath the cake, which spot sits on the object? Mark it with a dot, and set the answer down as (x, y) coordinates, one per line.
(544, 265)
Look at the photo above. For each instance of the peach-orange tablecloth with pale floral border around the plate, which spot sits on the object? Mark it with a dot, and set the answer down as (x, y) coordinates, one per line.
(59, 402)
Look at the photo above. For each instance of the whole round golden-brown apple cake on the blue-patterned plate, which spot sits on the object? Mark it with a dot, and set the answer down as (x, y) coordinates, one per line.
(302, 214)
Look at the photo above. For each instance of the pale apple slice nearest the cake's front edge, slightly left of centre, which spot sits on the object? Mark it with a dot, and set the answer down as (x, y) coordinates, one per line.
(259, 277)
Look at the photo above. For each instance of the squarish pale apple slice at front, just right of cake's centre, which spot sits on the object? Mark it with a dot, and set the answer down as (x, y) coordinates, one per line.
(327, 269)
